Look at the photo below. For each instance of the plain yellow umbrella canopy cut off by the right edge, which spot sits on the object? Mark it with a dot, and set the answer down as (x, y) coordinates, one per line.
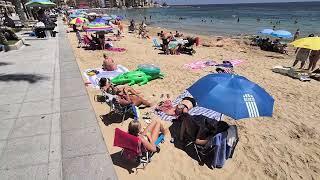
(312, 43)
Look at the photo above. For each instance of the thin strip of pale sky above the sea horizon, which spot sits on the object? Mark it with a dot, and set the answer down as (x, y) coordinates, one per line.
(224, 1)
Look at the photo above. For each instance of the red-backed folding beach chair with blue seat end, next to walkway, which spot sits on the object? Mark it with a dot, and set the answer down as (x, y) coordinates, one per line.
(132, 148)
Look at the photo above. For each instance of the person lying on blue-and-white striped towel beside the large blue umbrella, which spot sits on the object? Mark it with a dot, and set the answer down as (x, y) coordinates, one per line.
(184, 106)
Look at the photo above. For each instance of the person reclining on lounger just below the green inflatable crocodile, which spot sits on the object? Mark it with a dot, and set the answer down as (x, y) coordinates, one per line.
(124, 95)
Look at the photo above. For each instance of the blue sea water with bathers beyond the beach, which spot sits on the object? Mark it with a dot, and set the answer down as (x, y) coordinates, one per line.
(223, 19)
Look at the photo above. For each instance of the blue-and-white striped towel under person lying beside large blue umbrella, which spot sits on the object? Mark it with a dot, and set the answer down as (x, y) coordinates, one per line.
(194, 111)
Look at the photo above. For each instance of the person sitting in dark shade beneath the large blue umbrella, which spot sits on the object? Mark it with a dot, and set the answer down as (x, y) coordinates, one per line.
(200, 128)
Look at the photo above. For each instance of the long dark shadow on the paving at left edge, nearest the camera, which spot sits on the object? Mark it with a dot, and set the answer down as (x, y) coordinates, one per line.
(31, 78)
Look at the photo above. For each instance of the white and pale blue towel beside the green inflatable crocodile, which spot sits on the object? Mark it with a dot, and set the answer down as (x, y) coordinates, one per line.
(94, 79)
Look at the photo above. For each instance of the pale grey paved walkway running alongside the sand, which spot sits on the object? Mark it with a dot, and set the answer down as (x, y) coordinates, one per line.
(48, 129)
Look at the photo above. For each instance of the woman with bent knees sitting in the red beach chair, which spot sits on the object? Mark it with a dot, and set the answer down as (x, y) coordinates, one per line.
(149, 135)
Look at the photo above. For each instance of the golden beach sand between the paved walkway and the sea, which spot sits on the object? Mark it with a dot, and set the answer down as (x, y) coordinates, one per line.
(286, 146)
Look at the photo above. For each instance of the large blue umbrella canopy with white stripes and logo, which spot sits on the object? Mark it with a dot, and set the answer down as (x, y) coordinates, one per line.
(232, 95)
